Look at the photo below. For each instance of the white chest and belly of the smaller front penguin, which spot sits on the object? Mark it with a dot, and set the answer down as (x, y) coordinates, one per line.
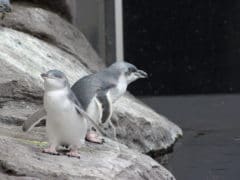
(63, 121)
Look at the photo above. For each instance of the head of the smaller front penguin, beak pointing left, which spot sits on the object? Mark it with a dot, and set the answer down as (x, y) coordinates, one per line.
(54, 80)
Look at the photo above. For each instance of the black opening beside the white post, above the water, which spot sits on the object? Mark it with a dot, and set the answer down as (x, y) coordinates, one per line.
(187, 47)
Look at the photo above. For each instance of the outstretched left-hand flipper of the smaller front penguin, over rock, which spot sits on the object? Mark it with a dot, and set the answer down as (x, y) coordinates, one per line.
(34, 119)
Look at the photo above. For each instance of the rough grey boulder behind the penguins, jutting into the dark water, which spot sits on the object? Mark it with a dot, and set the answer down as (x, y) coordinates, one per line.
(153, 132)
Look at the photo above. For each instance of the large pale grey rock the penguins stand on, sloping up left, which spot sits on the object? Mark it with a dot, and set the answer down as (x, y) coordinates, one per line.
(22, 58)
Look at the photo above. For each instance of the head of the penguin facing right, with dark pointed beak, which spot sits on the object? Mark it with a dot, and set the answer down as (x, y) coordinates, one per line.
(129, 71)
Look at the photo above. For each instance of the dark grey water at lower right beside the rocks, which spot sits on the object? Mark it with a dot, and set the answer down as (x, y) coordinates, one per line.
(210, 148)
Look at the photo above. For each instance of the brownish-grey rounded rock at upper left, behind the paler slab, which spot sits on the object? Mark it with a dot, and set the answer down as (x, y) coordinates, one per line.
(51, 28)
